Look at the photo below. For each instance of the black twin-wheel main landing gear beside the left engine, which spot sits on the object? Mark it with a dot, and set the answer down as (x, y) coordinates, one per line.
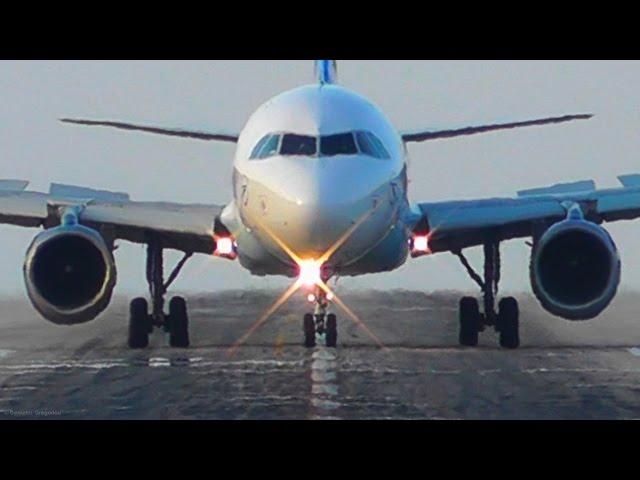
(142, 321)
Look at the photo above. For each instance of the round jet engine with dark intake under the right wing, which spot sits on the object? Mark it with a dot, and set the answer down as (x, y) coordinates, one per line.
(575, 270)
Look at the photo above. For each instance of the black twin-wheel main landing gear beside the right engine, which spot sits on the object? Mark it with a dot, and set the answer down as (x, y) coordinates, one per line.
(506, 320)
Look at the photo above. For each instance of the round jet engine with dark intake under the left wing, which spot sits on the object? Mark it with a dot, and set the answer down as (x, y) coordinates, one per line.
(70, 274)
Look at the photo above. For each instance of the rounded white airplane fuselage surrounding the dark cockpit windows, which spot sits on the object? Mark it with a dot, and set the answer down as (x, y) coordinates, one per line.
(307, 202)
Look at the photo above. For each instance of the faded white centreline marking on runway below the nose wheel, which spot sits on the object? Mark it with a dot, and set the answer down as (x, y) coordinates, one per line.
(324, 390)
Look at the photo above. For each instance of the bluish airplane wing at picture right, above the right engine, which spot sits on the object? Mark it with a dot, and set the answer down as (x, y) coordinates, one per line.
(456, 225)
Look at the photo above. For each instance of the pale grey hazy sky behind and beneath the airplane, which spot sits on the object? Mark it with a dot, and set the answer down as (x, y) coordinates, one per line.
(220, 95)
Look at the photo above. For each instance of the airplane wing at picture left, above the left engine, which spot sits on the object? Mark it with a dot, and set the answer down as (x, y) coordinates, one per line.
(183, 227)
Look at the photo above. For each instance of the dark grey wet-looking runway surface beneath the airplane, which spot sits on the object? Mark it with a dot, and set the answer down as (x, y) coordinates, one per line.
(564, 370)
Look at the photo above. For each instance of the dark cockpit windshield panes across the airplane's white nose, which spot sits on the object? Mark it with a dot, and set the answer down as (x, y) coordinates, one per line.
(342, 144)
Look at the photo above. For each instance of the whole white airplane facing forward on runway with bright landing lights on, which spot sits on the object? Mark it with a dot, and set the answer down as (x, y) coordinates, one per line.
(320, 191)
